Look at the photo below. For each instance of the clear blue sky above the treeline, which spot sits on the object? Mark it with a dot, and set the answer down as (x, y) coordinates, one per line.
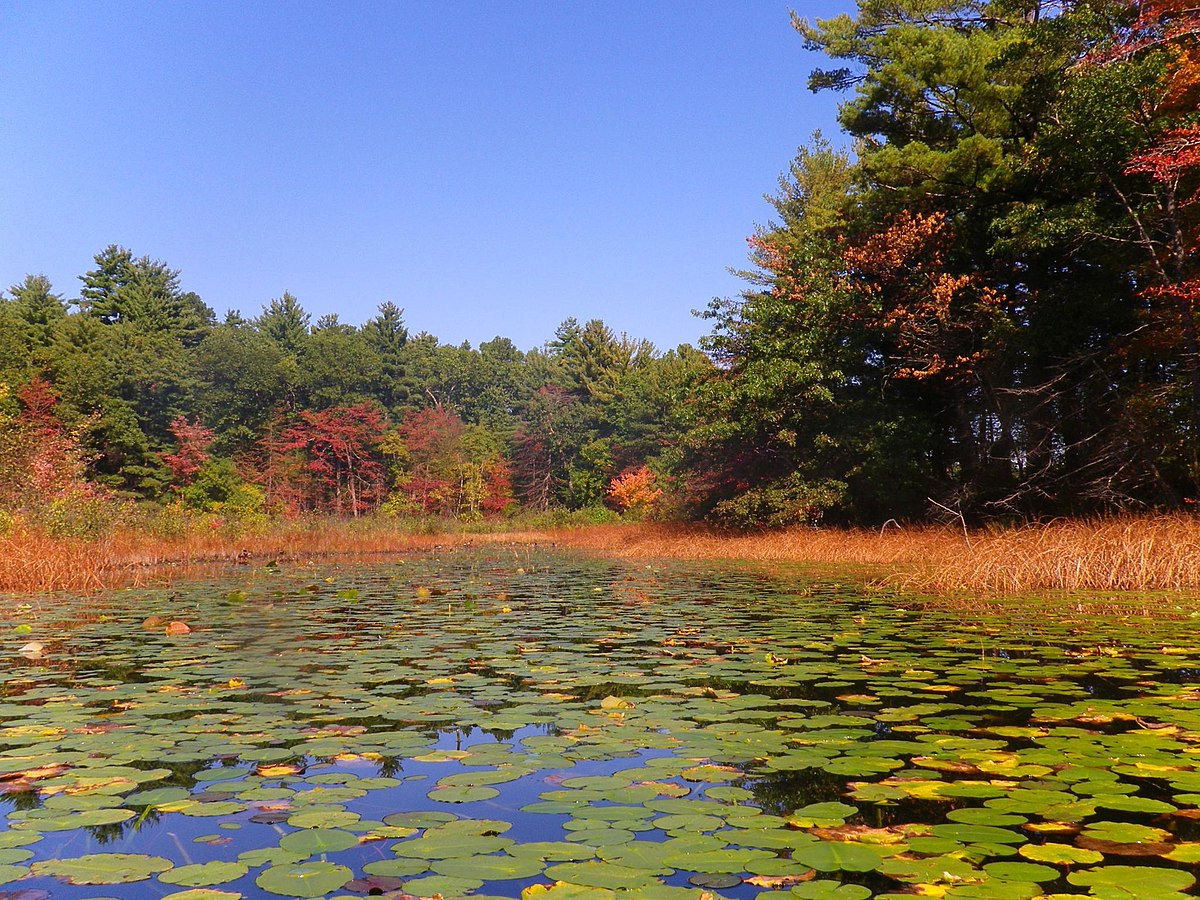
(491, 167)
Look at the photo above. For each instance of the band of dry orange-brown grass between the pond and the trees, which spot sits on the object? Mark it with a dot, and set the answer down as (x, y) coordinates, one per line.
(1119, 555)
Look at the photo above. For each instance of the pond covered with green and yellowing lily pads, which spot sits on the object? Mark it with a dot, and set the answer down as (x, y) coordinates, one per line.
(507, 722)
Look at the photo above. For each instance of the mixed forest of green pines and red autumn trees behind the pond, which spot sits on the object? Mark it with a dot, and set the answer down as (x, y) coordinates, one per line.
(980, 302)
